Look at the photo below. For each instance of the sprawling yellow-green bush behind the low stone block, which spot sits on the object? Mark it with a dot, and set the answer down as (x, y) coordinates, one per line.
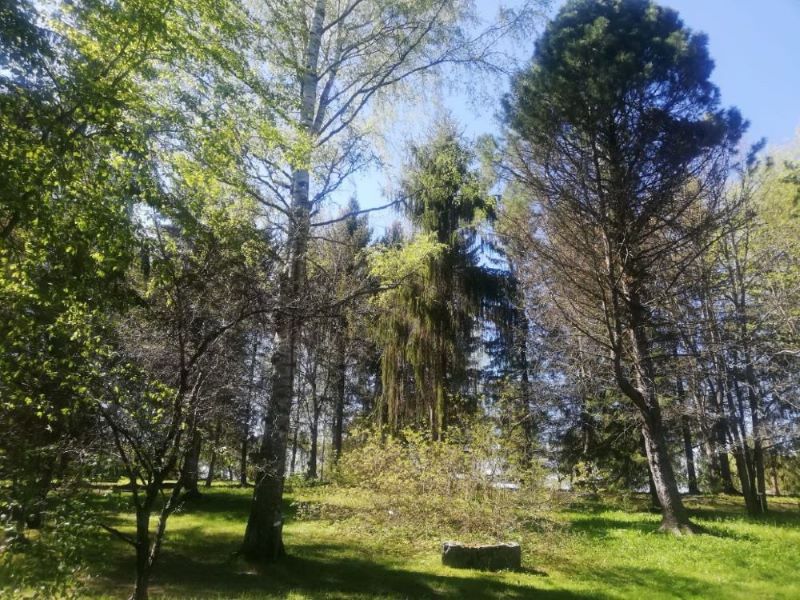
(466, 487)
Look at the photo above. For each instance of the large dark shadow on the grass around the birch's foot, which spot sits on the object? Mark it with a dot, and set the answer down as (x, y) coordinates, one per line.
(198, 566)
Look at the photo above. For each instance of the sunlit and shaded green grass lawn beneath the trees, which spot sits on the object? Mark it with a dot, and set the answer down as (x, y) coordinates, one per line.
(585, 551)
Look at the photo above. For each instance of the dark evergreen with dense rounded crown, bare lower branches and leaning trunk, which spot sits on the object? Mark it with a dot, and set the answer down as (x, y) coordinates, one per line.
(617, 132)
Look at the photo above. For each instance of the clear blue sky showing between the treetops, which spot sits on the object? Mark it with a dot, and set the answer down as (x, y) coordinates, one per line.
(756, 50)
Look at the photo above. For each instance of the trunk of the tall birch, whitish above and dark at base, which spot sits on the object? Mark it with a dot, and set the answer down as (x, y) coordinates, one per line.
(263, 539)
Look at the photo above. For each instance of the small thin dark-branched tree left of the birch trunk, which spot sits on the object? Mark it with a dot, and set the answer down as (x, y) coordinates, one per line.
(171, 361)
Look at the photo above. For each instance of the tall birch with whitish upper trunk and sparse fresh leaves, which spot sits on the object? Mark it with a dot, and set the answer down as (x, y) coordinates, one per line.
(324, 63)
